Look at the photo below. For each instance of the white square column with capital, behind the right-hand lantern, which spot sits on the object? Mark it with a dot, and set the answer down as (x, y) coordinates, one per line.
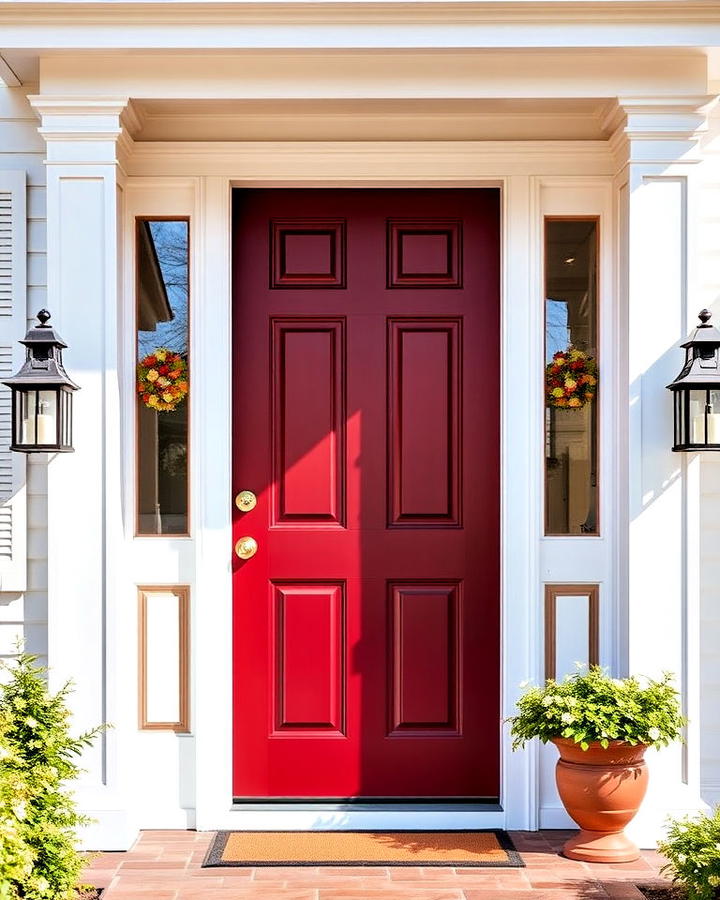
(656, 144)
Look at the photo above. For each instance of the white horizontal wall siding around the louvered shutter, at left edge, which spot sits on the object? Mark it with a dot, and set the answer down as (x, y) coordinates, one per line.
(24, 616)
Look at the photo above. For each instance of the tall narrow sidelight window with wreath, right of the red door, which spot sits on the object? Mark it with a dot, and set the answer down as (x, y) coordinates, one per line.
(571, 377)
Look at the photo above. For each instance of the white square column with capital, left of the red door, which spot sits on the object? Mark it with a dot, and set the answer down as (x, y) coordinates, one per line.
(85, 543)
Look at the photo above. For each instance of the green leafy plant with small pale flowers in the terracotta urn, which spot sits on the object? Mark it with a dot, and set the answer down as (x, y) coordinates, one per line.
(591, 707)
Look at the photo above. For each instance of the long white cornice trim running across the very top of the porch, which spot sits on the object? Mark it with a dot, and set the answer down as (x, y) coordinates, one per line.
(596, 24)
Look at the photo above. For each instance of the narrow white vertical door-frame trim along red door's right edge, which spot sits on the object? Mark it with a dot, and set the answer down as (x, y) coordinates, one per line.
(520, 484)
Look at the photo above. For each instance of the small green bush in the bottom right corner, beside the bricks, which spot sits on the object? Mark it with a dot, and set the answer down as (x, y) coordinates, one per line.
(692, 847)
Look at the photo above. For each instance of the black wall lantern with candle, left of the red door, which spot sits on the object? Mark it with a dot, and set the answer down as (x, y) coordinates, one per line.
(42, 394)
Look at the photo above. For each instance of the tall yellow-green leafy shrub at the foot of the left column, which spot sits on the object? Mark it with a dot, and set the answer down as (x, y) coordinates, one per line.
(39, 760)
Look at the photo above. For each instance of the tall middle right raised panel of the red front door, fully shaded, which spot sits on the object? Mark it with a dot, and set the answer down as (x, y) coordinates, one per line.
(424, 426)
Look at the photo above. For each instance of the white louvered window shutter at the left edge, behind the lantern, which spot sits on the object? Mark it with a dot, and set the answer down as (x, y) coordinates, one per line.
(13, 318)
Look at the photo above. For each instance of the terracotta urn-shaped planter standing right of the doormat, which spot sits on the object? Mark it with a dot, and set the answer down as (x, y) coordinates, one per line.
(601, 790)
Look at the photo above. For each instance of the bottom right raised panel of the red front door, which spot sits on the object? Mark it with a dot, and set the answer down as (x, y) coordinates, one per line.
(424, 658)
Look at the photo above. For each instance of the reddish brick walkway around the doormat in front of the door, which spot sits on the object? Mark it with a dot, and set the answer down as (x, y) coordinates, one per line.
(165, 865)
